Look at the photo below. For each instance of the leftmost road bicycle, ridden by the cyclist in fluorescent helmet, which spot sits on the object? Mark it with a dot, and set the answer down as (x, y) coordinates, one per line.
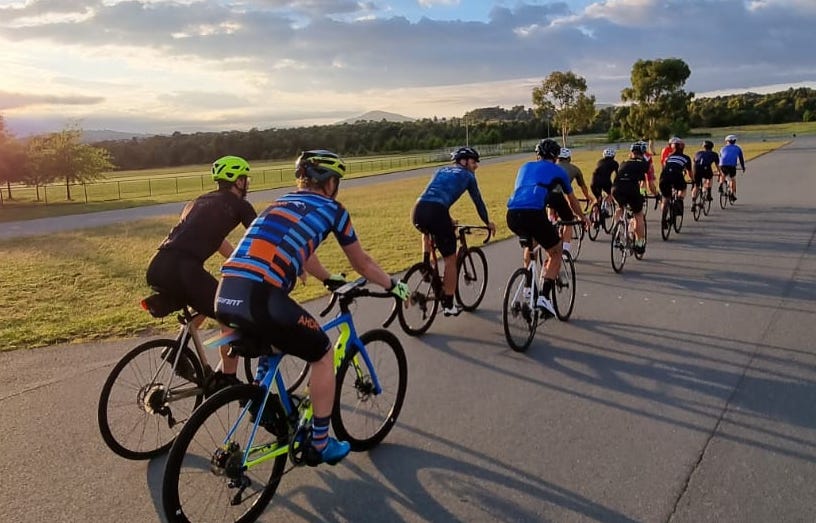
(154, 388)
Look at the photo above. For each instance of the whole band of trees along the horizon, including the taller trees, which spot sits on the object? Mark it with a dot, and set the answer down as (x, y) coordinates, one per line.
(654, 106)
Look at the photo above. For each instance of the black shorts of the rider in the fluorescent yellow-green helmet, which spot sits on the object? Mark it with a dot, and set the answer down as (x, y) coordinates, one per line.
(185, 278)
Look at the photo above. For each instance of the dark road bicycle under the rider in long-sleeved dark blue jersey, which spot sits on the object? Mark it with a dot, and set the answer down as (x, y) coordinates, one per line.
(424, 282)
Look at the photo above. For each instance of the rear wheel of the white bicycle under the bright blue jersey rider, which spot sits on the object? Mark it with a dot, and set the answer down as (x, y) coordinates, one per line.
(519, 317)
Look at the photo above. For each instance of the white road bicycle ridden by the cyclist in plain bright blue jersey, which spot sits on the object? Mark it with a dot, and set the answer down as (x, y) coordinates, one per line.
(520, 316)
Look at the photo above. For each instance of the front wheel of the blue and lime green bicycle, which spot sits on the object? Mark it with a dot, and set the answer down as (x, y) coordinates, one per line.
(362, 416)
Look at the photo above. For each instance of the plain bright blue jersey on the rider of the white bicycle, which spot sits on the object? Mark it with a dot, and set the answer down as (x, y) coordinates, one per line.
(534, 181)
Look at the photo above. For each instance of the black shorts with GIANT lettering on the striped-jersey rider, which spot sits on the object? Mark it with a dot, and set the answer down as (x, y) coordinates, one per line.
(271, 316)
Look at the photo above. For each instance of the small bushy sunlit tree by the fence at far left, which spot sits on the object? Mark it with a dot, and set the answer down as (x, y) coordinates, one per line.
(62, 156)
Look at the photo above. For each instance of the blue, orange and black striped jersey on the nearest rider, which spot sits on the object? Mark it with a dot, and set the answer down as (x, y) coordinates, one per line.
(285, 235)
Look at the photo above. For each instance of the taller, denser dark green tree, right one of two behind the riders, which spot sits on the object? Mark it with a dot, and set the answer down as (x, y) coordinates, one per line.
(660, 105)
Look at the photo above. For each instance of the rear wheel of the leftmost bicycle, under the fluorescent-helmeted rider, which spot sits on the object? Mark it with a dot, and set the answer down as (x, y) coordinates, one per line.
(143, 404)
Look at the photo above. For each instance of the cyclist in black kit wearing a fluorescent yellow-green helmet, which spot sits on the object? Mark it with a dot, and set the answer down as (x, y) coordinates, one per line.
(178, 265)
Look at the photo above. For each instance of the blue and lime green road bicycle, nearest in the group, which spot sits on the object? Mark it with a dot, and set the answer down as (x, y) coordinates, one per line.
(229, 458)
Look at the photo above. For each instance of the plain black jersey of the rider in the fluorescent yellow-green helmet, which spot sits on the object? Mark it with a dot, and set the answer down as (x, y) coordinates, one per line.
(205, 222)
